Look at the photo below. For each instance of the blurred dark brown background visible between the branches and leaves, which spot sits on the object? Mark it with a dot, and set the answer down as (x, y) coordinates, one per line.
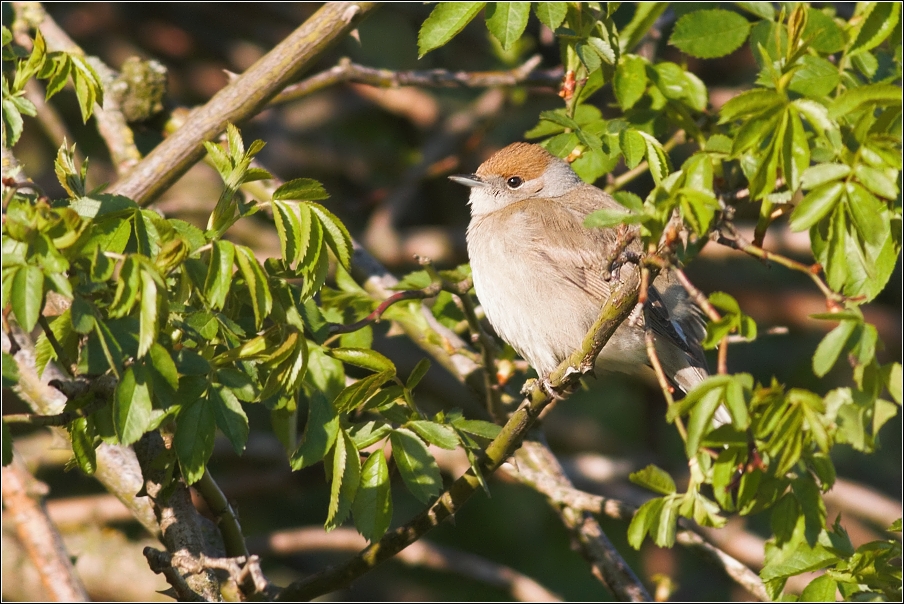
(384, 155)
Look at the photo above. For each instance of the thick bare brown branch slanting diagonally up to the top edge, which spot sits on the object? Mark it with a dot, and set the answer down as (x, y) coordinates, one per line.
(241, 99)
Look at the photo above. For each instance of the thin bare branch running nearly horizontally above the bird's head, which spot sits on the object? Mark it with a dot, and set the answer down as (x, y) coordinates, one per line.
(526, 74)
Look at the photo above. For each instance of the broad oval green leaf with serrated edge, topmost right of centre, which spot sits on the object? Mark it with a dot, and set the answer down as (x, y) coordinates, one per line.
(707, 34)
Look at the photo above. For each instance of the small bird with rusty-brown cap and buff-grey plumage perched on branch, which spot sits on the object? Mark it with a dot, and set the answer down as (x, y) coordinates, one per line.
(539, 272)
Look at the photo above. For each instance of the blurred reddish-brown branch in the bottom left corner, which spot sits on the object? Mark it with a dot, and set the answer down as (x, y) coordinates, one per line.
(21, 498)
